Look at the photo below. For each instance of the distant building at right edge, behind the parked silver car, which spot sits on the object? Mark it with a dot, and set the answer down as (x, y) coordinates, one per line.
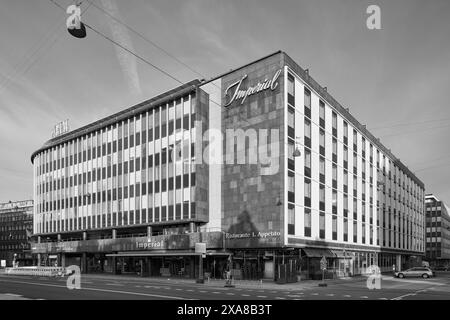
(437, 231)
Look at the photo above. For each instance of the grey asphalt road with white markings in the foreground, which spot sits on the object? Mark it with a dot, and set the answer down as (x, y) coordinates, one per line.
(115, 287)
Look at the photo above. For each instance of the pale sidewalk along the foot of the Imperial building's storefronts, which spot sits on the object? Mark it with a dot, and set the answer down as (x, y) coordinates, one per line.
(247, 284)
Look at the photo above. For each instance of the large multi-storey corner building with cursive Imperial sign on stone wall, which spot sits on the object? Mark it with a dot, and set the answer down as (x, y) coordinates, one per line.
(109, 196)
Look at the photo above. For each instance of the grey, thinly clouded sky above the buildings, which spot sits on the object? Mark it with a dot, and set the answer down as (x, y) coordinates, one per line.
(394, 80)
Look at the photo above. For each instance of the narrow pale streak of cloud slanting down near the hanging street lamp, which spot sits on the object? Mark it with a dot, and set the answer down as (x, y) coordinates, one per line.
(126, 60)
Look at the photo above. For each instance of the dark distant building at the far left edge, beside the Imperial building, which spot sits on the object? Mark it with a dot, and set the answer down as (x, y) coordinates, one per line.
(16, 227)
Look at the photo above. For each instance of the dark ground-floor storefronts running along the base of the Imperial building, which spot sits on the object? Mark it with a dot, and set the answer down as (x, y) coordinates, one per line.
(177, 256)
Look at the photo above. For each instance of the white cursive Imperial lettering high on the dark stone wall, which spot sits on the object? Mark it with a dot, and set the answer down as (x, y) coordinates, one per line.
(236, 92)
